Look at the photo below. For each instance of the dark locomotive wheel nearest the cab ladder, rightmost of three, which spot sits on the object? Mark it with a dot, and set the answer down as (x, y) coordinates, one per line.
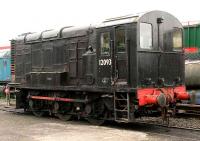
(96, 112)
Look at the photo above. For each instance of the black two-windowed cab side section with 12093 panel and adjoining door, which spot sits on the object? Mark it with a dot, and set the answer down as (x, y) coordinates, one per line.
(112, 56)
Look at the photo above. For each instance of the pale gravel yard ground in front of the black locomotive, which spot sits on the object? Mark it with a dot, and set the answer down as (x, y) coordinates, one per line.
(26, 127)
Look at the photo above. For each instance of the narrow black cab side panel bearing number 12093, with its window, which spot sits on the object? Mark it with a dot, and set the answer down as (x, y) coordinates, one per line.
(105, 44)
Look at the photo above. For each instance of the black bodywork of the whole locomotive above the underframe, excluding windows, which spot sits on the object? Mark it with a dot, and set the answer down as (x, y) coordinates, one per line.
(69, 59)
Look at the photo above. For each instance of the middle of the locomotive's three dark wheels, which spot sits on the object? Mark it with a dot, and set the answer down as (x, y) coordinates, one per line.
(62, 111)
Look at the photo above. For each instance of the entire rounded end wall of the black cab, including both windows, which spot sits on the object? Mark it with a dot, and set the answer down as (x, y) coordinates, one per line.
(160, 50)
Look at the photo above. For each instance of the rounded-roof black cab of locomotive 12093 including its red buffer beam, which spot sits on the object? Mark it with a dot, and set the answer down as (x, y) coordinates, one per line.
(144, 54)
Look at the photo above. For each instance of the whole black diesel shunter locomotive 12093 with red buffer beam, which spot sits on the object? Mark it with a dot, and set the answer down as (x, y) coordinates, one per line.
(122, 69)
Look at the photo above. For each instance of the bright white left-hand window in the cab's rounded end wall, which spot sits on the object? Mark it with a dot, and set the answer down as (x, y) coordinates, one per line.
(145, 36)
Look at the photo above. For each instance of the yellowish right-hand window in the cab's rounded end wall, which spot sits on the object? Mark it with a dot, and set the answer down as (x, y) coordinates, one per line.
(177, 39)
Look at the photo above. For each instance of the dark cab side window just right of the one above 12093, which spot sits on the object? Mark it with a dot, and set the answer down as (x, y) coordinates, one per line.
(120, 40)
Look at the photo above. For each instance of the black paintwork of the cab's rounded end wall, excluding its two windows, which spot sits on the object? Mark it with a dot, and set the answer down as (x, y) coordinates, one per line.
(162, 62)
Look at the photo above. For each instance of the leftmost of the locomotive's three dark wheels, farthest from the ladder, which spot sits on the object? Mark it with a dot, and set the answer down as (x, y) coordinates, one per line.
(36, 108)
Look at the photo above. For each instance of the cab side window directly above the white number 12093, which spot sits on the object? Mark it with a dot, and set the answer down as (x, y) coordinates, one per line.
(105, 43)
